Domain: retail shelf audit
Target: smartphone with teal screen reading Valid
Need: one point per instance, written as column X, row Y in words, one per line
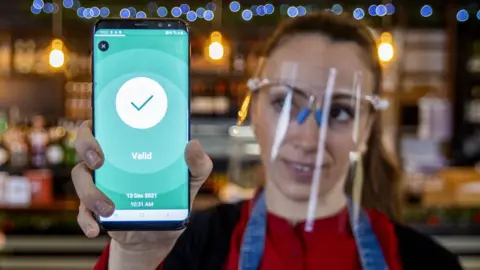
column 140, row 107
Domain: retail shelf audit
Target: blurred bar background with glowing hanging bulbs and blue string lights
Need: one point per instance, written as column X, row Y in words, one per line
column 430, row 52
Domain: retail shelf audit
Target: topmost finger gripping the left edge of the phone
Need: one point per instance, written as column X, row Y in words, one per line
column 87, row 147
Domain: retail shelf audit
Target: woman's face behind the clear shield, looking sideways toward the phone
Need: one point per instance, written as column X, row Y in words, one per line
column 303, row 60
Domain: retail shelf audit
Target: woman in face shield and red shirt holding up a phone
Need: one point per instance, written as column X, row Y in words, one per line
column 217, row 238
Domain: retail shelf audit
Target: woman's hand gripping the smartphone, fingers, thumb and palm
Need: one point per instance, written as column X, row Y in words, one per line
column 93, row 201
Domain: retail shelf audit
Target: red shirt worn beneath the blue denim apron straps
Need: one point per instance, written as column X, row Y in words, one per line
column 331, row 245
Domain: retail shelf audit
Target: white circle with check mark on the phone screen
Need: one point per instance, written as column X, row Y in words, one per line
column 141, row 103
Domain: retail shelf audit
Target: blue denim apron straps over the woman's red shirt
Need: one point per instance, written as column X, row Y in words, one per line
column 251, row 252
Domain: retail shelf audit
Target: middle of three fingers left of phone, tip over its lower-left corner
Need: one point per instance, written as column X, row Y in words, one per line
column 93, row 199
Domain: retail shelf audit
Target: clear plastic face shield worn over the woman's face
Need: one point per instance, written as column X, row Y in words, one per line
column 309, row 128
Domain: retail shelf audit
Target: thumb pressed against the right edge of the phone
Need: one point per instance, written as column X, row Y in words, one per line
column 199, row 164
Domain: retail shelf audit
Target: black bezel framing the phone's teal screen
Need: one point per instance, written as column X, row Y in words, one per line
column 176, row 24
